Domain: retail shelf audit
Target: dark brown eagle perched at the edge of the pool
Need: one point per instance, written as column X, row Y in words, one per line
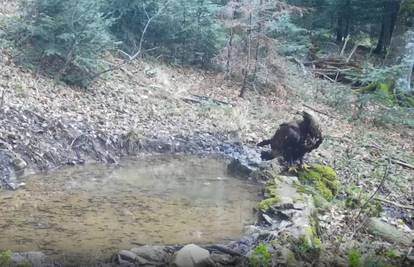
column 293, row 140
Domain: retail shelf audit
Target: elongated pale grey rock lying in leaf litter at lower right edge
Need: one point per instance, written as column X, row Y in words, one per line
column 390, row 233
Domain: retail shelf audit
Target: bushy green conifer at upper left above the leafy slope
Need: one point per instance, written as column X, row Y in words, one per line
column 65, row 38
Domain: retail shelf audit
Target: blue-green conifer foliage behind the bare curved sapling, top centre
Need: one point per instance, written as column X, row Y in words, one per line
column 183, row 32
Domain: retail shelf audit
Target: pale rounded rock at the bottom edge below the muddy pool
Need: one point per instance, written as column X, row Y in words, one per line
column 192, row 256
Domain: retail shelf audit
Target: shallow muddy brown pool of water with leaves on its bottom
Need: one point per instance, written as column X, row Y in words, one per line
column 94, row 210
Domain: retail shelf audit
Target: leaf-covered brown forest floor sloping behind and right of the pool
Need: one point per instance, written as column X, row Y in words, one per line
column 46, row 125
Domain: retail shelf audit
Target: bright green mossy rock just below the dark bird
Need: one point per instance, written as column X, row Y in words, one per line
column 323, row 178
